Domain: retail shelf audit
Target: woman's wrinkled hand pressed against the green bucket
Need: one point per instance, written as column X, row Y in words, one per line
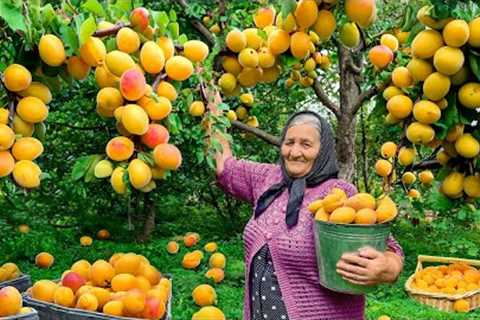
column 368, row 266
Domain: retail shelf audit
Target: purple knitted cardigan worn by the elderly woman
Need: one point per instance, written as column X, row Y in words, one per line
column 292, row 250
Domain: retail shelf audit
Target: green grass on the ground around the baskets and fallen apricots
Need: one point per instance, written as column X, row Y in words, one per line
column 63, row 244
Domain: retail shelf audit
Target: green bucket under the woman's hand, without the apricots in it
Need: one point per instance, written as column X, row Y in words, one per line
column 333, row 240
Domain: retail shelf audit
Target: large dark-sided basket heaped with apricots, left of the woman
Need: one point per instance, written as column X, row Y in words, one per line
column 126, row 286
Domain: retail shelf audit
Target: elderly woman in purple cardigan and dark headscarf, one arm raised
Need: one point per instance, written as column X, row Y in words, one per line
column 282, row 280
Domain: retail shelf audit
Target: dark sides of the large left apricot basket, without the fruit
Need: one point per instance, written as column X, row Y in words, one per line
column 50, row 311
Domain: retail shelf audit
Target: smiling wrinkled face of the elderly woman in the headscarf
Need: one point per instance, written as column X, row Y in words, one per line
column 300, row 149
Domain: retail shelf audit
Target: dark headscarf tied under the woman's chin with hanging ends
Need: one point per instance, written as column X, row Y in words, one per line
column 325, row 167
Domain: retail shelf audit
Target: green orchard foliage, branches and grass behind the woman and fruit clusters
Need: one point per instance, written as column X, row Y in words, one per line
column 342, row 85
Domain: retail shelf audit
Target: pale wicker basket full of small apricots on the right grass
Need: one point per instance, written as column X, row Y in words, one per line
column 448, row 284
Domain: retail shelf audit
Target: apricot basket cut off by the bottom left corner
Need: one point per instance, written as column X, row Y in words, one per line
column 11, row 306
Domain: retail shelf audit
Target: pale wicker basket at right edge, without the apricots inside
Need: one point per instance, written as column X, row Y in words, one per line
column 442, row 301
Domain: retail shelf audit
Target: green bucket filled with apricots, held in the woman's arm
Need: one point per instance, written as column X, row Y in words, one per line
column 346, row 224
